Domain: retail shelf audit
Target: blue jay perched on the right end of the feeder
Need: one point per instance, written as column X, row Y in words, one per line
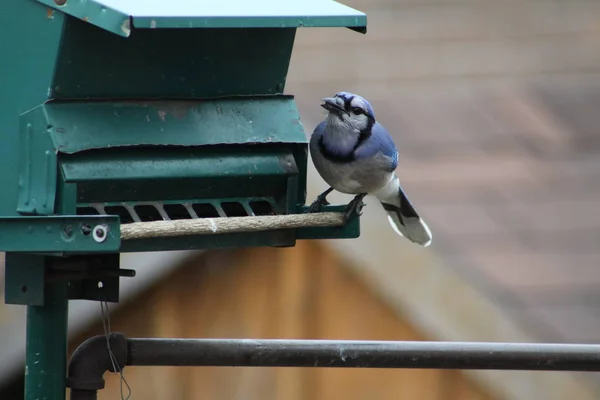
column 355, row 154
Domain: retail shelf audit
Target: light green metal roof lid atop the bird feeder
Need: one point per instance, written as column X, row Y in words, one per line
column 115, row 15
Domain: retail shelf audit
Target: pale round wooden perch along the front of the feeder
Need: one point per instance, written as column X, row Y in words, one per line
column 216, row 226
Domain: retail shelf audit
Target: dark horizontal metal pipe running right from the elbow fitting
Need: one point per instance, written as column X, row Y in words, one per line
column 364, row 354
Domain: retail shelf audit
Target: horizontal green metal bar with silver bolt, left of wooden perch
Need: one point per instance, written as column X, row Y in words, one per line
column 64, row 233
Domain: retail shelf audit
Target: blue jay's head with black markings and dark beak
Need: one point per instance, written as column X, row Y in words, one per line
column 349, row 111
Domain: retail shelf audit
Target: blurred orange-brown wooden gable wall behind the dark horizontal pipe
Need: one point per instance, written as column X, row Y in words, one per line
column 302, row 292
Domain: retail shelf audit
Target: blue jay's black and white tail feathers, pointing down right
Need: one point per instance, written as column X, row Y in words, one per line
column 402, row 215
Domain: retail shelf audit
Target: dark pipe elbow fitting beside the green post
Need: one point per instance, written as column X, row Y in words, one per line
column 91, row 360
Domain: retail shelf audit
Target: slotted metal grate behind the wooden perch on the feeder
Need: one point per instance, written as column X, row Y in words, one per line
column 160, row 211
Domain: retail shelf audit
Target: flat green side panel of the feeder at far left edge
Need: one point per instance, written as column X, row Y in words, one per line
column 26, row 74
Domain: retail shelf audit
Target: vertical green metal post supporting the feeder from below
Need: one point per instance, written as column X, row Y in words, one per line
column 46, row 347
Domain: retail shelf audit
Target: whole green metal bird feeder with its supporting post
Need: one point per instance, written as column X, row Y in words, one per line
column 151, row 125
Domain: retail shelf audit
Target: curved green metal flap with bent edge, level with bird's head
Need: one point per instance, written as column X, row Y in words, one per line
column 78, row 126
